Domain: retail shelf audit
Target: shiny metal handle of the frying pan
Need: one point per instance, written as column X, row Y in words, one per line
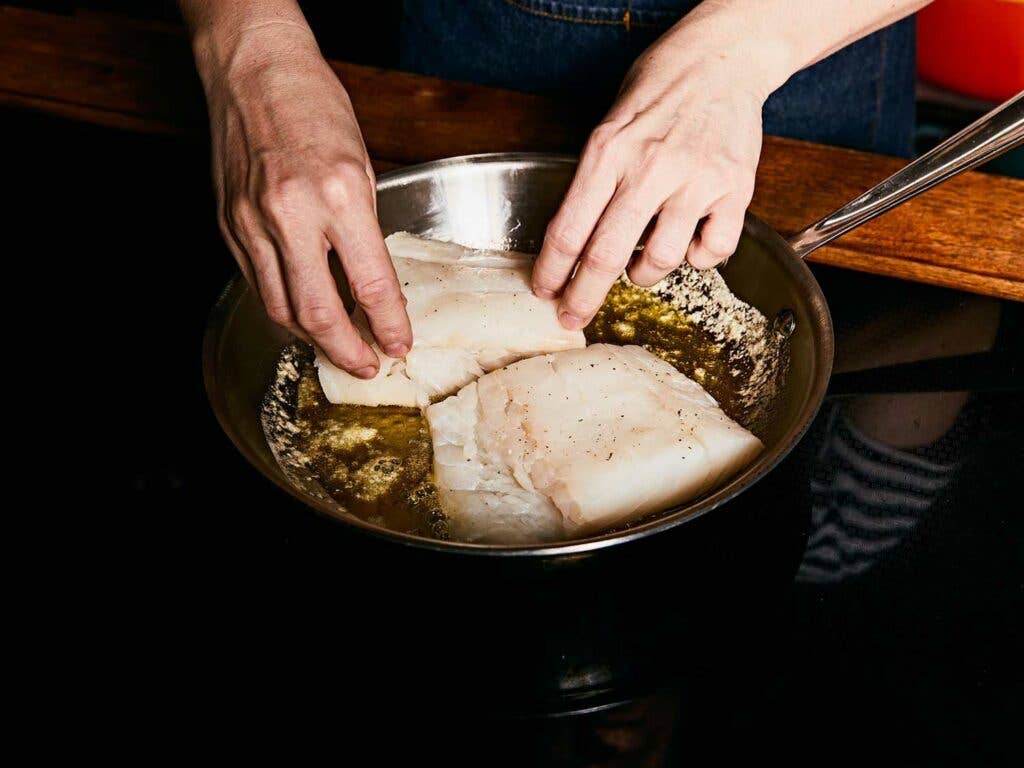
column 991, row 136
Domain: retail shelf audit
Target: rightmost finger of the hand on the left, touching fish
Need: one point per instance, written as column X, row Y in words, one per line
column 357, row 238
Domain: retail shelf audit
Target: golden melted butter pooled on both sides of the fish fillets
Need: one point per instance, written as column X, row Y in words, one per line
column 376, row 462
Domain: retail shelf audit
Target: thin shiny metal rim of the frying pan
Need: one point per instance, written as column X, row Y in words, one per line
column 669, row 520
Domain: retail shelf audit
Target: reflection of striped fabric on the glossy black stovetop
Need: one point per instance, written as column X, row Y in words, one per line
column 868, row 498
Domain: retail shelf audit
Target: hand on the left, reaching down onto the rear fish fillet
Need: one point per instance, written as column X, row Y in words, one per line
column 293, row 181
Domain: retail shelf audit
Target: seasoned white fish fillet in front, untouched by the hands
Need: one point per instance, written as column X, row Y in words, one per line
column 576, row 442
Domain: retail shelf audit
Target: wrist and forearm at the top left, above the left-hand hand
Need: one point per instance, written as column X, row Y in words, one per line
column 236, row 35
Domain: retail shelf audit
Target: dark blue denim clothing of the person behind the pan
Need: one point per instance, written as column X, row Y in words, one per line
column 862, row 97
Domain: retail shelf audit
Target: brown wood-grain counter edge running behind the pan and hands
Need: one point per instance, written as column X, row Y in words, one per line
column 968, row 234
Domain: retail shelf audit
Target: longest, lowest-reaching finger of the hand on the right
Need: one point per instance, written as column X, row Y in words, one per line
column 606, row 258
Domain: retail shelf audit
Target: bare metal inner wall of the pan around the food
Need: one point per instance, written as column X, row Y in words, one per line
column 505, row 202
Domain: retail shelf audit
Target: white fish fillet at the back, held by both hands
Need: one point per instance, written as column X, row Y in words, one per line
column 472, row 312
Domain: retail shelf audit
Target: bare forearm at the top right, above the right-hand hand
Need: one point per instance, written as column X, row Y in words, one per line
column 775, row 39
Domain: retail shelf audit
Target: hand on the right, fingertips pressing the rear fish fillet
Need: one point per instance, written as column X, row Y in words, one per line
column 681, row 144
